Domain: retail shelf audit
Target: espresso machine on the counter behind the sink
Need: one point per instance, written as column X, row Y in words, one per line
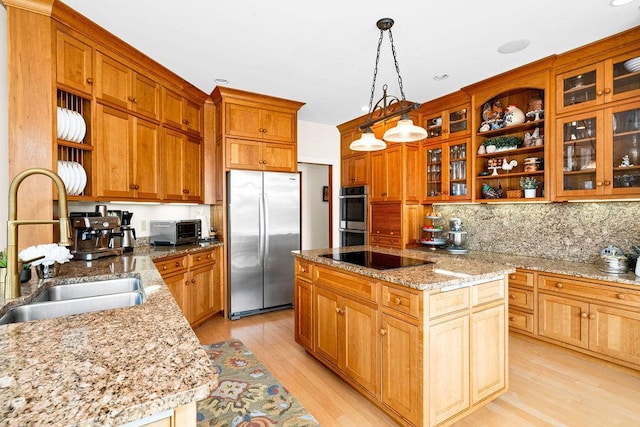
column 95, row 236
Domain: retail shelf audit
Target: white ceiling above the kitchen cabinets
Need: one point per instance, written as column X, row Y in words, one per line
column 323, row 53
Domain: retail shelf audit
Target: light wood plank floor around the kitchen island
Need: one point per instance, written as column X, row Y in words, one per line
column 549, row 385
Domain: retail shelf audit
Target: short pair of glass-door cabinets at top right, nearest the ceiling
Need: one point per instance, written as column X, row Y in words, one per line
column 598, row 83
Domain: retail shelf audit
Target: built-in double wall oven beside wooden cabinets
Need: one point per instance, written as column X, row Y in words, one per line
column 353, row 216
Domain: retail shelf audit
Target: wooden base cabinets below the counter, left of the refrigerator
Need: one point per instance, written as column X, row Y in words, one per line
column 195, row 282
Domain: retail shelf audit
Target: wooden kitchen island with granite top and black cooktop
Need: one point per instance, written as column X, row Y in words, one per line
column 426, row 343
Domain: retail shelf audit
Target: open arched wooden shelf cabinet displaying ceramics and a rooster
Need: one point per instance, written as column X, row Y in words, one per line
column 510, row 131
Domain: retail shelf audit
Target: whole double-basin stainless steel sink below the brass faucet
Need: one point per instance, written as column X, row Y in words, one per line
column 77, row 298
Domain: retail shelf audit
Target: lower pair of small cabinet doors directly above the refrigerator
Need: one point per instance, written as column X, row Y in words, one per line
column 254, row 155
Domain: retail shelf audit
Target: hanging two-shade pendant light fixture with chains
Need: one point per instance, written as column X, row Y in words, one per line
column 388, row 107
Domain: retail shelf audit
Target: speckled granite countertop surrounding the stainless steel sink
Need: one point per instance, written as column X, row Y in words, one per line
column 103, row 368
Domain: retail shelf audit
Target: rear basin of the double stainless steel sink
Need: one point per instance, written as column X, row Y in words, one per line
column 89, row 289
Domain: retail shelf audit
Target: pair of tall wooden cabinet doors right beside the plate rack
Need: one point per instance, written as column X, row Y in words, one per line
column 128, row 169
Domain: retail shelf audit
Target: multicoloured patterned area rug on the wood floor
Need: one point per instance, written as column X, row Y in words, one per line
column 247, row 394
